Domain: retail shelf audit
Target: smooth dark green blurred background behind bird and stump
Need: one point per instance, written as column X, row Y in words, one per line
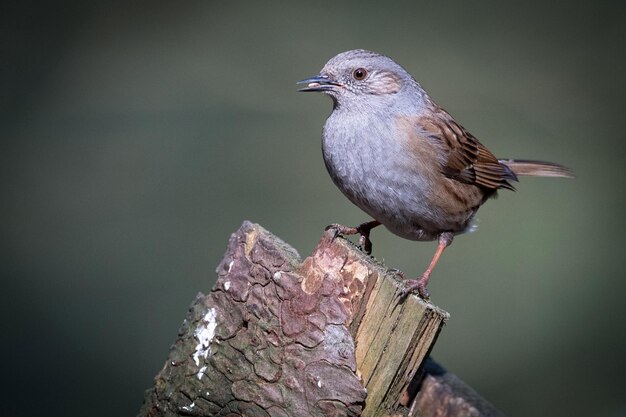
column 137, row 137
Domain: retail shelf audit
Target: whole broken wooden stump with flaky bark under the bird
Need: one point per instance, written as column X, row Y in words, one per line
column 329, row 336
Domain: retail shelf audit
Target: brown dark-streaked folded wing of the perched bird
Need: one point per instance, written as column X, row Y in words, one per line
column 467, row 160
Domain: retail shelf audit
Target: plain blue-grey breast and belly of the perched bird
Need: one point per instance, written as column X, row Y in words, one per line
column 371, row 168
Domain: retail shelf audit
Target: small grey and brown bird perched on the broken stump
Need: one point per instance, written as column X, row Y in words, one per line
column 403, row 159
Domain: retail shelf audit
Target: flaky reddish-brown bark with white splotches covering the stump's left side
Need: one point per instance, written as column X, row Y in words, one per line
column 267, row 340
